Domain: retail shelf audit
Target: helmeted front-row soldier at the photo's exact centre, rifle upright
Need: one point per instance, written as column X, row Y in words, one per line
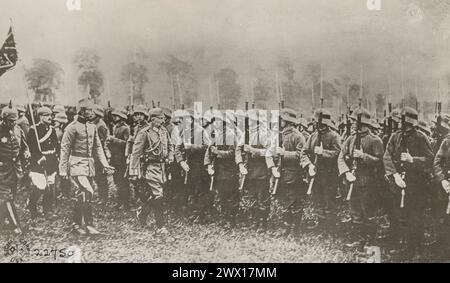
column 221, row 159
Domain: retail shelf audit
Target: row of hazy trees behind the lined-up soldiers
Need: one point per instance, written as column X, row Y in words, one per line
column 299, row 92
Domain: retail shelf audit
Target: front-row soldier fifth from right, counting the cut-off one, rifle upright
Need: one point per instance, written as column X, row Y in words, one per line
column 291, row 191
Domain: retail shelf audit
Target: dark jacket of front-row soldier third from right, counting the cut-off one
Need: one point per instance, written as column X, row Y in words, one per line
column 372, row 146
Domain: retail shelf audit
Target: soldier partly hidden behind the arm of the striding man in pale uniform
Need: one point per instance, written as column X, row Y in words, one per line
column 100, row 177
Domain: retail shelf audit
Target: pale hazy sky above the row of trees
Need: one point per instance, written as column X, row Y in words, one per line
column 213, row 34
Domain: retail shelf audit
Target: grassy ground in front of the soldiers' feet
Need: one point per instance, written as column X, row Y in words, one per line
column 123, row 240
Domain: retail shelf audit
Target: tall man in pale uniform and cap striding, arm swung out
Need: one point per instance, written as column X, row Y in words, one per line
column 80, row 148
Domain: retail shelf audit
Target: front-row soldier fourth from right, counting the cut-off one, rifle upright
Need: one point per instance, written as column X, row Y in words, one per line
column 325, row 171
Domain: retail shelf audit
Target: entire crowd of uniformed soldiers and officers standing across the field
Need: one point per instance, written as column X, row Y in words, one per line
column 155, row 157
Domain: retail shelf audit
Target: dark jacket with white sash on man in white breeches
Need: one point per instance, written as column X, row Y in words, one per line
column 49, row 148
